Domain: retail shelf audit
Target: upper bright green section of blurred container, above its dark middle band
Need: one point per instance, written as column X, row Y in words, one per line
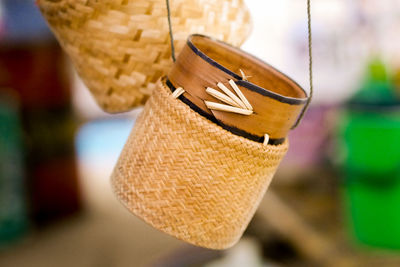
column 372, row 140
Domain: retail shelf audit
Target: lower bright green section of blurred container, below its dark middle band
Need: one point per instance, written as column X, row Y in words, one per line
column 373, row 209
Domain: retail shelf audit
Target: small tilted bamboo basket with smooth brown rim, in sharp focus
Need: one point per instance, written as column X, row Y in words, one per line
column 187, row 169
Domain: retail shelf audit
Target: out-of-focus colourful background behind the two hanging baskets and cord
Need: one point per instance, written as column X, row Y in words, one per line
column 335, row 200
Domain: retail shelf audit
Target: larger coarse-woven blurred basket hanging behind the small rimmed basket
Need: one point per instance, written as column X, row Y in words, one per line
column 120, row 48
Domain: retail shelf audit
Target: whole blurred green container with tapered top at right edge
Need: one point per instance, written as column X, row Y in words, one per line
column 370, row 146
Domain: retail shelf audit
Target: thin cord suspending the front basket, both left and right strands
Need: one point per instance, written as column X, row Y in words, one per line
column 310, row 59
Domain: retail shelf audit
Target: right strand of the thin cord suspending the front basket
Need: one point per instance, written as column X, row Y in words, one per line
column 310, row 66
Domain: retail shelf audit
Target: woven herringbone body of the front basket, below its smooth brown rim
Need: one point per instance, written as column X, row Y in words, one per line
column 190, row 178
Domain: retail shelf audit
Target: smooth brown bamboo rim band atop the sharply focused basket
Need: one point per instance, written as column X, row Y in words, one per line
column 276, row 100
